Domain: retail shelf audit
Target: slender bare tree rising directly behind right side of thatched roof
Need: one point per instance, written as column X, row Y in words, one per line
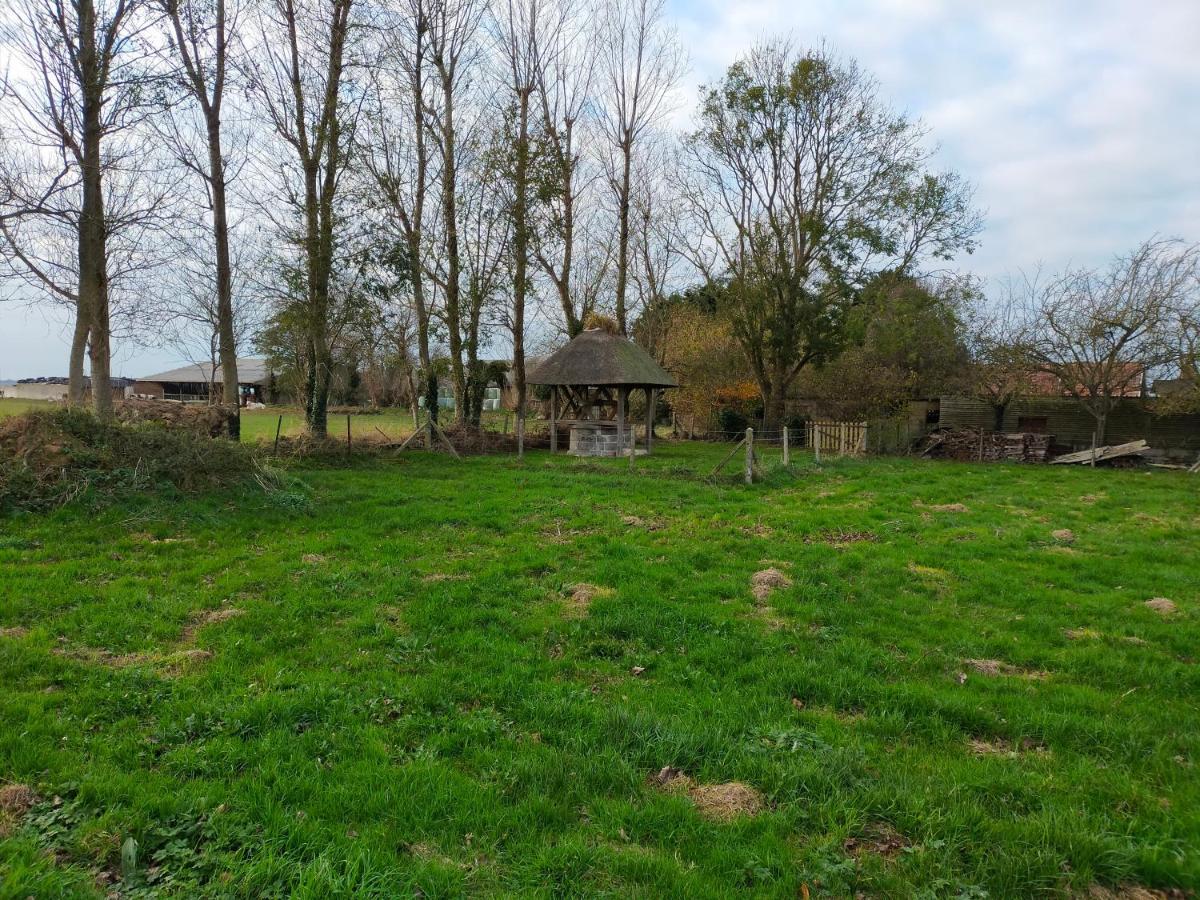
column 641, row 62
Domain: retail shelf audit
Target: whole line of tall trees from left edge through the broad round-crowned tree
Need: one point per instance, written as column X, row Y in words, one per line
column 393, row 189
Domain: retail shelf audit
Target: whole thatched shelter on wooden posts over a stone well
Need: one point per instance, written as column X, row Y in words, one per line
column 590, row 382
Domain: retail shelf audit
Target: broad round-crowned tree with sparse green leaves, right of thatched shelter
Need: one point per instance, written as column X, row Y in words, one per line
column 805, row 185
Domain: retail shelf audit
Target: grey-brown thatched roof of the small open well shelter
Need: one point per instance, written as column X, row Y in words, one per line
column 599, row 359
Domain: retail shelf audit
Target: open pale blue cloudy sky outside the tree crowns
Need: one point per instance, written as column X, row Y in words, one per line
column 1078, row 122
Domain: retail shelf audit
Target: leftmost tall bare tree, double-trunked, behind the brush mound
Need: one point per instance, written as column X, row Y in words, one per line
column 86, row 87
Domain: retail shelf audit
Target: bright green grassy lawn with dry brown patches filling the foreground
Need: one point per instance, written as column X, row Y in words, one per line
column 388, row 680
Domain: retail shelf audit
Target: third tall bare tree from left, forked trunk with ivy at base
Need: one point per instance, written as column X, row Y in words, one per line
column 299, row 79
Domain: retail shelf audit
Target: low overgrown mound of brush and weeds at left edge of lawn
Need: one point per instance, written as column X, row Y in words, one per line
column 50, row 459
